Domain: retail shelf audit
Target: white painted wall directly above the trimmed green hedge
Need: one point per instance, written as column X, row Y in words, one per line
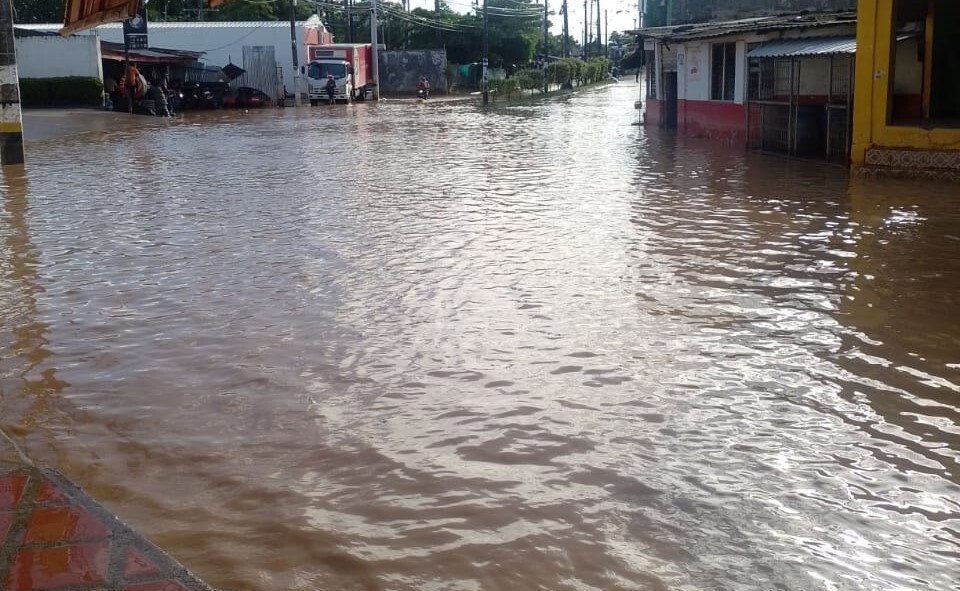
column 52, row 56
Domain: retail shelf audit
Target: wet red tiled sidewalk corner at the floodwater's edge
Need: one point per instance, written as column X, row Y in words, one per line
column 53, row 537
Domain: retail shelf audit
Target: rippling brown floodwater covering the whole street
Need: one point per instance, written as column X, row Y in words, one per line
column 430, row 347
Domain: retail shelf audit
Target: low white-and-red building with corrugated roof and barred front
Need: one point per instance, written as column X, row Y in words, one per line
column 777, row 83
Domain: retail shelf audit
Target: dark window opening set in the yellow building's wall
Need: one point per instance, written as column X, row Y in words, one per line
column 924, row 59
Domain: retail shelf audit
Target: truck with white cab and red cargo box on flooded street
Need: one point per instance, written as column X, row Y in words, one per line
column 350, row 64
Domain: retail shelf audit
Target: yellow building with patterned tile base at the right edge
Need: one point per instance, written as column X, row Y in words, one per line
column 907, row 100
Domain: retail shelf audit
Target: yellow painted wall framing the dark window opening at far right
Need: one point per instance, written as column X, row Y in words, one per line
column 871, row 96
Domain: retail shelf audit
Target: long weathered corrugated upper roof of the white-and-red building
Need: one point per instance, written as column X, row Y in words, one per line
column 764, row 24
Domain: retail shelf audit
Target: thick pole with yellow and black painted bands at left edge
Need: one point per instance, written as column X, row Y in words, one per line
column 11, row 119
